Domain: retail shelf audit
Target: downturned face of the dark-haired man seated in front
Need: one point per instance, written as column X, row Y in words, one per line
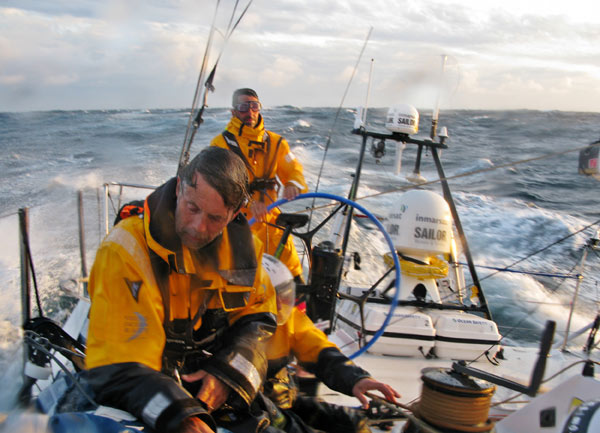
column 201, row 214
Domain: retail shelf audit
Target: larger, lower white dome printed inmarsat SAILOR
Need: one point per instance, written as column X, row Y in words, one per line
column 420, row 224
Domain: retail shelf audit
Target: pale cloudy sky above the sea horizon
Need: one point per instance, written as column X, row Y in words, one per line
column 147, row 54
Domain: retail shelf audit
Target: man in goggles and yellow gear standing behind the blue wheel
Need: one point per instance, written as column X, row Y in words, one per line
column 270, row 164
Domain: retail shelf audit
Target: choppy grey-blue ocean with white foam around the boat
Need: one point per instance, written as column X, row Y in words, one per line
column 508, row 212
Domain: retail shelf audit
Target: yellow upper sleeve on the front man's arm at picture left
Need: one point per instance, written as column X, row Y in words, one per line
column 126, row 311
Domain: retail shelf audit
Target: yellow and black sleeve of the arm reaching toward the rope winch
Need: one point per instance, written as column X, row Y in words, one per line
column 322, row 357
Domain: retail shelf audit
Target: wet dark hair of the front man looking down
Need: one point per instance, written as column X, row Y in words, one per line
column 223, row 170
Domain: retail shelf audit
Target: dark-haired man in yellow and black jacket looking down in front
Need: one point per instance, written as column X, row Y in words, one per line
column 180, row 289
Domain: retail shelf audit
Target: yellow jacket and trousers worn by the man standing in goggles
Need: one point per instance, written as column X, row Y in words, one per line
column 270, row 163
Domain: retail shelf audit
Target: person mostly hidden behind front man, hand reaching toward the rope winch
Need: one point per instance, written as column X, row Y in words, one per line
column 297, row 339
